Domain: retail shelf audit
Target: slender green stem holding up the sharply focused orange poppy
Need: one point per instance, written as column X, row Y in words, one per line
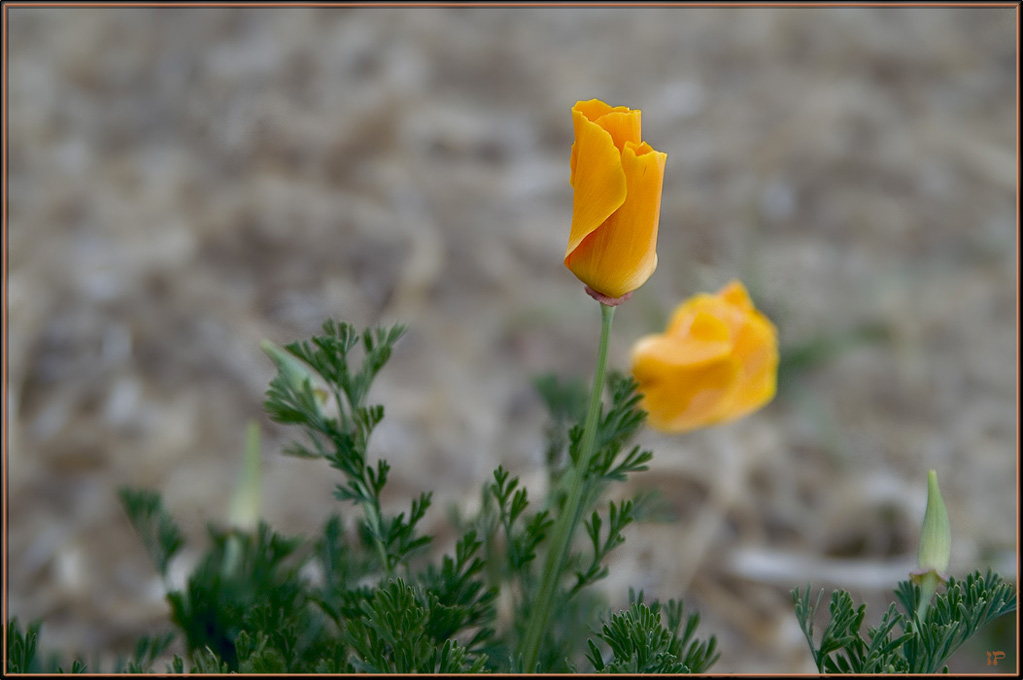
column 569, row 519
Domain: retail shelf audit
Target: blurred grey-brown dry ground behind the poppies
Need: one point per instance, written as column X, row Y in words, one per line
column 185, row 183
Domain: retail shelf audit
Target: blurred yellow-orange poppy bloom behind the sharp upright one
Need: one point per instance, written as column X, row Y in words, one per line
column 718, row 361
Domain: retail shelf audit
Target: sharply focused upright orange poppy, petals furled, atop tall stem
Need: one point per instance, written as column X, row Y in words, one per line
column 617, row 182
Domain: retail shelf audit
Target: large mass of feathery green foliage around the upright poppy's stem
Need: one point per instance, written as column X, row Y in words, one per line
column 361, row 596
